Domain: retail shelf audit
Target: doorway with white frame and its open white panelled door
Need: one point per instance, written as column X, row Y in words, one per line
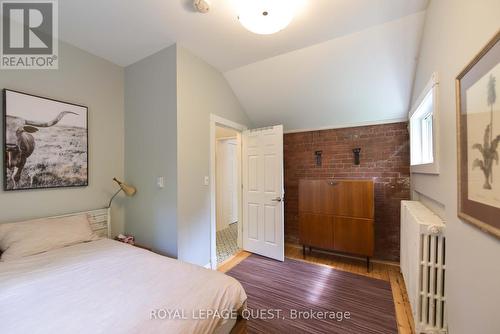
column 255, row 215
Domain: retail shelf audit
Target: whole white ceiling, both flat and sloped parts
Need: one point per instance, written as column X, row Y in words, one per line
column 340, row 62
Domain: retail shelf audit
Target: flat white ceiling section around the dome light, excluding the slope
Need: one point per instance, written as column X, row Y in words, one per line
column 125, row 31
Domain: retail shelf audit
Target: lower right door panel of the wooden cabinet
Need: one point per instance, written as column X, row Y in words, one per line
column 353, row 235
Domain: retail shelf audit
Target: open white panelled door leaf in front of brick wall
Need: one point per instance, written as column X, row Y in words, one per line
column 263, row 221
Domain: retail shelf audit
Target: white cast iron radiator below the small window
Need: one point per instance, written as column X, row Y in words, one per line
column 423, row 250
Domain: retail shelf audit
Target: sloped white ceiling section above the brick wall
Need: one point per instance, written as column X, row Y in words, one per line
column 361, row 78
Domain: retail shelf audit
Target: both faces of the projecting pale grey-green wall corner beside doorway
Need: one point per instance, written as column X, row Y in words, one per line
column 169, row 98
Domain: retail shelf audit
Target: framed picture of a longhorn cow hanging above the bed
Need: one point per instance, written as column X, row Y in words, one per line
column 45, row 142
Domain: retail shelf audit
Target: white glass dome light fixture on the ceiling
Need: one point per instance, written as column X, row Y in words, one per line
column 267, row 17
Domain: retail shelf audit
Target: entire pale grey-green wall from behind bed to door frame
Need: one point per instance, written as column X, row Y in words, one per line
column 159, row 110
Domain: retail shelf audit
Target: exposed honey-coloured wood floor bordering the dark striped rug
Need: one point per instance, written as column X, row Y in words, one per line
column 381, row 271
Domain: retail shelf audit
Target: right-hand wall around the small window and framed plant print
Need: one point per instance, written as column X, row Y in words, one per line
column 455, row 31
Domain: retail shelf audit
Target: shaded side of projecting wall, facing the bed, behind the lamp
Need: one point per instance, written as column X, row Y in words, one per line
column 151, row 150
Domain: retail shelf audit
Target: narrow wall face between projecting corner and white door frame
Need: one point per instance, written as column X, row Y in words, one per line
column 201, row 91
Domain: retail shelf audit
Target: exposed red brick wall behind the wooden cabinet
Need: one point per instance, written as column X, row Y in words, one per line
column 384, row 157
